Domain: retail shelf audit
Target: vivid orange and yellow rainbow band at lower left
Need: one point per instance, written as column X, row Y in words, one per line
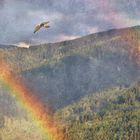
column 40, row 115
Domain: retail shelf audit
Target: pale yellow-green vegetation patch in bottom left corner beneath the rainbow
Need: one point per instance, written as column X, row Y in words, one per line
column 20, row 129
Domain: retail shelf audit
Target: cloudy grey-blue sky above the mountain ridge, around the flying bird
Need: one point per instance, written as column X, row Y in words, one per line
column 68, row 18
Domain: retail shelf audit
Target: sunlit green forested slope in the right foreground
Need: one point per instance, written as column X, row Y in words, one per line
column 113, row 114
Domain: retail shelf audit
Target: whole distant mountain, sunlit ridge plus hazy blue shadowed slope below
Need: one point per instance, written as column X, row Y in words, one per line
column 63, row 72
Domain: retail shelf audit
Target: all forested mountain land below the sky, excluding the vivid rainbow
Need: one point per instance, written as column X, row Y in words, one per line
column 65, row 72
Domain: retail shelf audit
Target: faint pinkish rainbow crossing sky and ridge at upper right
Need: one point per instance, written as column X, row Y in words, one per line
column 120, row 20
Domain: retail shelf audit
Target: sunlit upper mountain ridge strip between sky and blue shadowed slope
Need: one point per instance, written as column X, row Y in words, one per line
column 21, row 59
